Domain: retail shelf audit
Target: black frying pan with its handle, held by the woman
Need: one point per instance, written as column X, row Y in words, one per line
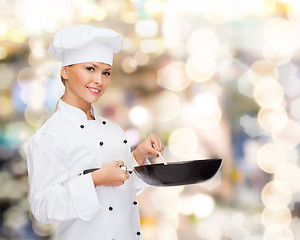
column 175, row 173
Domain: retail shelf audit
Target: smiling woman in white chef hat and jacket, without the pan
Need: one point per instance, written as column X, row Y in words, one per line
column 101, row 204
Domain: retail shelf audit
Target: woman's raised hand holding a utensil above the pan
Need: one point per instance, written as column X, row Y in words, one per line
column 148, row 148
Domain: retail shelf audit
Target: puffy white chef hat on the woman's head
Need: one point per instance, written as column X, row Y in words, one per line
column 84, row 43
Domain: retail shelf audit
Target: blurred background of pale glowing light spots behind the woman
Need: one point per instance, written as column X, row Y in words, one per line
column 212, row 78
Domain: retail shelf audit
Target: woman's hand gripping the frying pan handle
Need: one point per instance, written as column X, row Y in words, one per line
column 110, row 175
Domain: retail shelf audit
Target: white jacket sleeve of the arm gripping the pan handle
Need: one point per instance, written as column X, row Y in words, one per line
column 52, row 197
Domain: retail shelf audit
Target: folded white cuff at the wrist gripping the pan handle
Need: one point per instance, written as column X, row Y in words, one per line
column 84, row 196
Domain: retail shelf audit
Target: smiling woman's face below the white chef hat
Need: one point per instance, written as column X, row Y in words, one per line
column 86, row 82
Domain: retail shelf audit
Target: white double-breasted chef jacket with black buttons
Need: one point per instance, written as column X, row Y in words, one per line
column 58, row 153
